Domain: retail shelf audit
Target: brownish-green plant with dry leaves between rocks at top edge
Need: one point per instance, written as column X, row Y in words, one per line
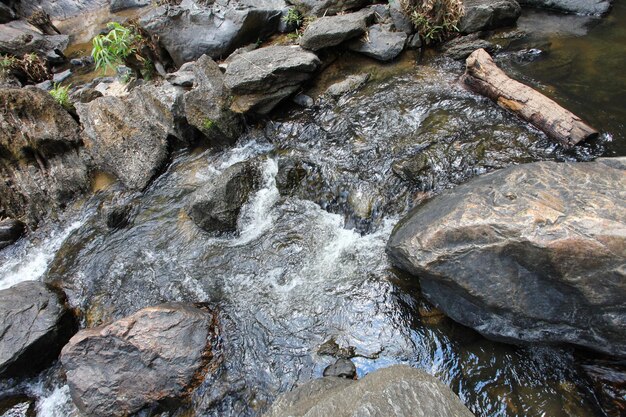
column 434, row 20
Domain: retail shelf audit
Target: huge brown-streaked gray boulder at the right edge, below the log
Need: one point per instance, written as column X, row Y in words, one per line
column 531, row 253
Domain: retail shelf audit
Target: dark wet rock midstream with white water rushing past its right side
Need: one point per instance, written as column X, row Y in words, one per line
column 216, row 206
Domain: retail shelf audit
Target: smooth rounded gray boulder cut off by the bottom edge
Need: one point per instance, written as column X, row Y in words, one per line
column 395, row 391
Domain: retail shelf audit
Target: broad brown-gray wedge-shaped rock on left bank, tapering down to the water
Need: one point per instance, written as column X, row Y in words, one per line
column 128, row 137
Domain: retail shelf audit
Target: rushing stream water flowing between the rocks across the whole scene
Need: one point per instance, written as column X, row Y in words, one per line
column 309, row 265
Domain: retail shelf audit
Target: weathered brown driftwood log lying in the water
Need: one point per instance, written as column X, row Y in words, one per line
column 484, row 77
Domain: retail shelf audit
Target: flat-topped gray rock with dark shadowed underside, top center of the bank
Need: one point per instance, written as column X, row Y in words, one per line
column 333, row 30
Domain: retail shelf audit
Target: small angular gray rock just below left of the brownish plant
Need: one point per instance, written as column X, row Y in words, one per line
column 380, row 43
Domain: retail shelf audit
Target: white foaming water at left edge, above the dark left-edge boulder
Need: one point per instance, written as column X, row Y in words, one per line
column 32, row 261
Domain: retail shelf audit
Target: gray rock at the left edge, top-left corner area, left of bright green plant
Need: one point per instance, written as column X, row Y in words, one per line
column 19, row 37
